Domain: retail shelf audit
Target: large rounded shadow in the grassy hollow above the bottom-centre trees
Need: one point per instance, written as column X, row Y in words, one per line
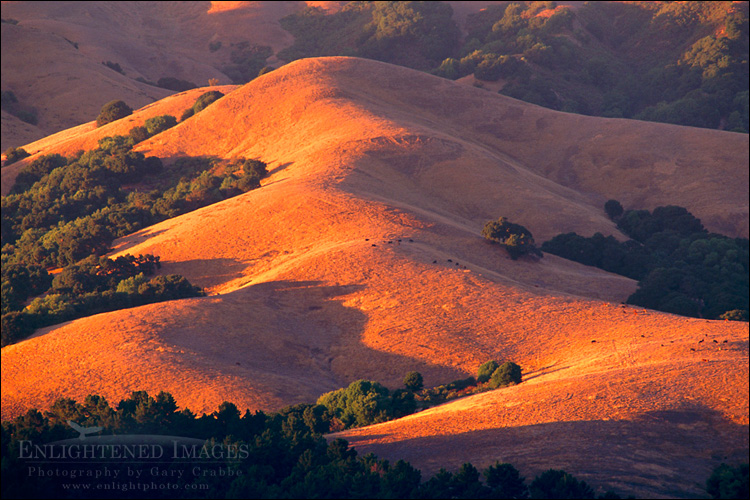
column 294, row 340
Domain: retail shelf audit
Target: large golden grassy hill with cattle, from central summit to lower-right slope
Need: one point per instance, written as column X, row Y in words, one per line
column 361, row 257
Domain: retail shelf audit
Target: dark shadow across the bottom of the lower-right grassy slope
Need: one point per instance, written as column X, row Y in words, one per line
column 660, row 454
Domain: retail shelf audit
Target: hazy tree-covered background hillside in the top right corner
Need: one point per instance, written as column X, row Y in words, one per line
column 608, row 66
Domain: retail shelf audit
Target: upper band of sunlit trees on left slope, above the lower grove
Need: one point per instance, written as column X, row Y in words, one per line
column 65, row 209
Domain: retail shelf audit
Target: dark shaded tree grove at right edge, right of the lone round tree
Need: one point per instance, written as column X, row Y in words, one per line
column 681, row 267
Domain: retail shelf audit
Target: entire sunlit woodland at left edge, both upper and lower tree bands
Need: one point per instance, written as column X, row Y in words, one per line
column 65, row 212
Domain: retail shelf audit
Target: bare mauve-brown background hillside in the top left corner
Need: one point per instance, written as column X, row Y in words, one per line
column 61, row 47
